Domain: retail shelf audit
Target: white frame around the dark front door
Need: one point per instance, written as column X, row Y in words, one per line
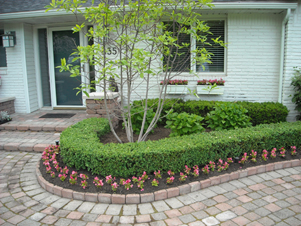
column 82, row 41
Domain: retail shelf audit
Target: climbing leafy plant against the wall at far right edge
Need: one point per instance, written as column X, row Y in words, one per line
column 296, row 82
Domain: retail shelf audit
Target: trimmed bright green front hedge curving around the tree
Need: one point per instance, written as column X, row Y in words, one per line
column 80, row 148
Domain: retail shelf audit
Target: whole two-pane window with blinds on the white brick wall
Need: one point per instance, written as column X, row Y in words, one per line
column 183, row 62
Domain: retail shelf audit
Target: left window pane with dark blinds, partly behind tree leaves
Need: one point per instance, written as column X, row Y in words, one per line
column 179, row 58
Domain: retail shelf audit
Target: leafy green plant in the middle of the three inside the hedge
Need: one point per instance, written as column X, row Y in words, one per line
column 184, row 124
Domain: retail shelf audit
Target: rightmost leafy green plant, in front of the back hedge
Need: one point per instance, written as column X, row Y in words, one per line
column 228, row 116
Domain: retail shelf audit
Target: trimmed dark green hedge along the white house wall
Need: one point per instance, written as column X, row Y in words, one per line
column 260, row 113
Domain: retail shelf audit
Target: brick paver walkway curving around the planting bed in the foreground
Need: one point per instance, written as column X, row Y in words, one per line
column 271, row 198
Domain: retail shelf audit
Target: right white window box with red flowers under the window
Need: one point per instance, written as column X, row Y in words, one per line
column 210, row 86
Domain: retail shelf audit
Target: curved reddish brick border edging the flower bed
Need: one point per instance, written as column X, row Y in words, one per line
column 161, row 194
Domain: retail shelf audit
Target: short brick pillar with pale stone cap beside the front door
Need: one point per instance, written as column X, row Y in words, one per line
column 95, row 106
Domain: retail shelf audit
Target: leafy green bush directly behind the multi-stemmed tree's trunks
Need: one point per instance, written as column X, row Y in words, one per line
column 137, row 119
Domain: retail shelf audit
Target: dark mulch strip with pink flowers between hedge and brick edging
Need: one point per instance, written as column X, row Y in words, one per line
column 91, row 188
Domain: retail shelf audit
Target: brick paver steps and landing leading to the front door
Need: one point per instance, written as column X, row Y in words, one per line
column 29, row 132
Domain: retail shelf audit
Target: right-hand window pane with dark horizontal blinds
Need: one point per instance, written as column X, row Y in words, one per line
column 217, row 28
